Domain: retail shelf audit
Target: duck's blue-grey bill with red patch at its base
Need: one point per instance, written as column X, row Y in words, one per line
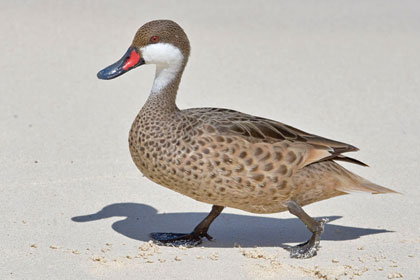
column 131, row 59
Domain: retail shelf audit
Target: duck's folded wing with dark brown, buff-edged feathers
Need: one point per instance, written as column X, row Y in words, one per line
column 256, row 129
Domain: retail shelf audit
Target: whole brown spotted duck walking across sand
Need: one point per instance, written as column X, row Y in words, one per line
column 224, row 157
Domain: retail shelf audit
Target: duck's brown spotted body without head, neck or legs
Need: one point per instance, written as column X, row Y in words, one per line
column 224, row 157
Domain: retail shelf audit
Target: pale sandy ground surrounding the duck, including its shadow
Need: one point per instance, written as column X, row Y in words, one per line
column 345, row 70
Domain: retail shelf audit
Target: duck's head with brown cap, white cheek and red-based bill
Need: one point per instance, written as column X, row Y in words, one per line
column 160, row 42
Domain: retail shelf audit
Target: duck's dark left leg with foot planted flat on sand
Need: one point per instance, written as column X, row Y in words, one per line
column 192, row 239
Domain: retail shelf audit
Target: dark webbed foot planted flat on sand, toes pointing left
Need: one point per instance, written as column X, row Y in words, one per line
column 179, row 239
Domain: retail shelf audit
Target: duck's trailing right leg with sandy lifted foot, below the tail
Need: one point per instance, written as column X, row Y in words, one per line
column 310, row 247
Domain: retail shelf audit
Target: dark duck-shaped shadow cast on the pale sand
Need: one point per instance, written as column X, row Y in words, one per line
column 139, row 220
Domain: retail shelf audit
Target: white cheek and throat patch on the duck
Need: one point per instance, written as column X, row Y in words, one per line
column 168, row 60
